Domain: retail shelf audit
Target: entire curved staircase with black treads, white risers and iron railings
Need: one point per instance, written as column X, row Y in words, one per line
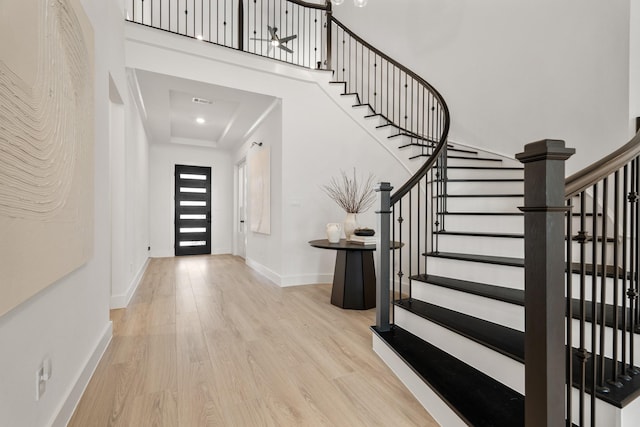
column 450, row 319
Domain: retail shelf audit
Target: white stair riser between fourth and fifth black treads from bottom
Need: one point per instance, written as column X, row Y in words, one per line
column 482, row 245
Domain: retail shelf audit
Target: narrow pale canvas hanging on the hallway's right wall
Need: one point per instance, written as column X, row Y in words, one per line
column 260, row 189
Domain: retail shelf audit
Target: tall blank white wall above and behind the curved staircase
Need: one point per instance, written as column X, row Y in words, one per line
column 514, row 72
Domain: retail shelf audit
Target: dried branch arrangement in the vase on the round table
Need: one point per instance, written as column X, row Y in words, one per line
column 349, row 194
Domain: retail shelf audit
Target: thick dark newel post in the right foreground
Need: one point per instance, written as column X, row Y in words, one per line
column 544, row 228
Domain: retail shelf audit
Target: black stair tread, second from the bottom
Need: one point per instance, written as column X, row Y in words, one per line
column 502, row 339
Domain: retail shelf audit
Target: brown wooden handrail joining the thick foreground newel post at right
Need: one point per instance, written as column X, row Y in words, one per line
column 604, row 167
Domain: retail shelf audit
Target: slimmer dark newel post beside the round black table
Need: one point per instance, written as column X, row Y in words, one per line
column 382, row 254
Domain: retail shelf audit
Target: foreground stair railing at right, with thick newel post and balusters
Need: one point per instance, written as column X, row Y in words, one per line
column 593, row 318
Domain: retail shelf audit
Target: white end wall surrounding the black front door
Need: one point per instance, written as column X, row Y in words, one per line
column 163, row 158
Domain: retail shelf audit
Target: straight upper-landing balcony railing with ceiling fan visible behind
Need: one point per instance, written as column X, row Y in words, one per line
column 244, row 25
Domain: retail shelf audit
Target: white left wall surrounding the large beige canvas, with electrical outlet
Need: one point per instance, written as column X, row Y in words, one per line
column 69, row 320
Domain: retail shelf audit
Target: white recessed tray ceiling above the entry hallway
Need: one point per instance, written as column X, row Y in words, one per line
column 170, row 114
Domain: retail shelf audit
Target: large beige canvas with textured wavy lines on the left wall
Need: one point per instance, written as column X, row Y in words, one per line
column 46, row 145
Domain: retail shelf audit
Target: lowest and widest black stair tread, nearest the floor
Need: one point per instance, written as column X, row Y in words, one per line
column 488, row 403
